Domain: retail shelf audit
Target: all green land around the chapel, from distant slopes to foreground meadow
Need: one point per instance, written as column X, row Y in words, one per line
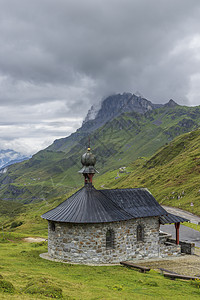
column 158, row 149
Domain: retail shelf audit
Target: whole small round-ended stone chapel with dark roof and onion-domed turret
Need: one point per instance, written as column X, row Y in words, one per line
column 110, row 225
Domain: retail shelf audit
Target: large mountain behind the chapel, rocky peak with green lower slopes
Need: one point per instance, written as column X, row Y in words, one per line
column 121, row 139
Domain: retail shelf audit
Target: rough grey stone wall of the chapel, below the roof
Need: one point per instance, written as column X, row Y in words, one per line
column 86, row 243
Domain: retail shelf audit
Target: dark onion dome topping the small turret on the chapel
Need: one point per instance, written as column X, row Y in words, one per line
column 88, row 161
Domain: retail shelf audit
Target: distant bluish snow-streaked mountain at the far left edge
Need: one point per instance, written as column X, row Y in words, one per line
column 9, row 157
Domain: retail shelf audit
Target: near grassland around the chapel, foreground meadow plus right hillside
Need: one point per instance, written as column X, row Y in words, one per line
column 172, row 175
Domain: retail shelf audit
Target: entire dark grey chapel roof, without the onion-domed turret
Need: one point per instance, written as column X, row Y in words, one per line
column 89, row 205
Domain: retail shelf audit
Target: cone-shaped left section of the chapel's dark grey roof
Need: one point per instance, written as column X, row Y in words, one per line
column 88, row 205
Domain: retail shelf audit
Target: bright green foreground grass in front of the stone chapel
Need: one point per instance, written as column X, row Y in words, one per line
column 33, row 278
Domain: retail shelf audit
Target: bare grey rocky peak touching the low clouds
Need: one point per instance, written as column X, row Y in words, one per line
column 105, row 111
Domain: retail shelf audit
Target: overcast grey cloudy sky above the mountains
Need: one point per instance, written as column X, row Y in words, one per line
column 58, row 57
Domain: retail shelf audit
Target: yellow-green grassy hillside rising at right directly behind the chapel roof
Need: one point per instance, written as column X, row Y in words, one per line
column 172, row 174
